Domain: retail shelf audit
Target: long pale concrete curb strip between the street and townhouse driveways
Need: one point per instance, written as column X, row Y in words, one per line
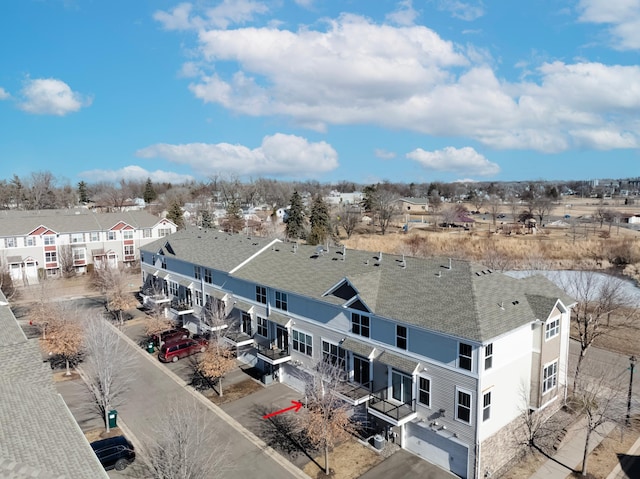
column 251, row 437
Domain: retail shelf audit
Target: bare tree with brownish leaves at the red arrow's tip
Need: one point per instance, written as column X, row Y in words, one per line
column 327, row 420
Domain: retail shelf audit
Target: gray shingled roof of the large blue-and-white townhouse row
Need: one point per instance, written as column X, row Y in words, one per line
column 466, row 301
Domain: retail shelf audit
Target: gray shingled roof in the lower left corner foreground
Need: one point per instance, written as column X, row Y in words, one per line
column 39, row 437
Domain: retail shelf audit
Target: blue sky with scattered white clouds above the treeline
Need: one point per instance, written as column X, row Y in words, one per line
column 359, row 90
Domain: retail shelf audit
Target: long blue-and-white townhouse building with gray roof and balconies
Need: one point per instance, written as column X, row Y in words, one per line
column 442, row 356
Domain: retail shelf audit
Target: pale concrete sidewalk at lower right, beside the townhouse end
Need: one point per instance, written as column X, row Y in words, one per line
column 570, row 454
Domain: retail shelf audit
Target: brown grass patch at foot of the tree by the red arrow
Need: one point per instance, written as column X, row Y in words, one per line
column 348, row 461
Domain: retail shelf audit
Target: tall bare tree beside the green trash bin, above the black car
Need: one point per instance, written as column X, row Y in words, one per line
column 108, row 367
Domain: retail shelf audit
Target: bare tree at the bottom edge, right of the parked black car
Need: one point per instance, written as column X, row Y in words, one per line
column 184, row 445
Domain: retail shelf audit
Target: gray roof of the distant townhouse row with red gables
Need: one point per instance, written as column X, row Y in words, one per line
column 21, row 223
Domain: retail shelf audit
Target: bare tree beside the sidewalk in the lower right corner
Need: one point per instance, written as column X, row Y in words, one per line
column 599, row 397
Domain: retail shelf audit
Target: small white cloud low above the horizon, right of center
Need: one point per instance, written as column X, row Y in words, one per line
column 458, row 160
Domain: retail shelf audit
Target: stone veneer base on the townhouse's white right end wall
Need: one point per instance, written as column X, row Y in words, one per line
column 509, row 443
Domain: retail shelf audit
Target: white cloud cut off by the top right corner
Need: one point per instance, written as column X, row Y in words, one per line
column 623, row 16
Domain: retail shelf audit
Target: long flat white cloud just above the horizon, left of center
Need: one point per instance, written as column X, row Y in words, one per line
column 279, row 155
